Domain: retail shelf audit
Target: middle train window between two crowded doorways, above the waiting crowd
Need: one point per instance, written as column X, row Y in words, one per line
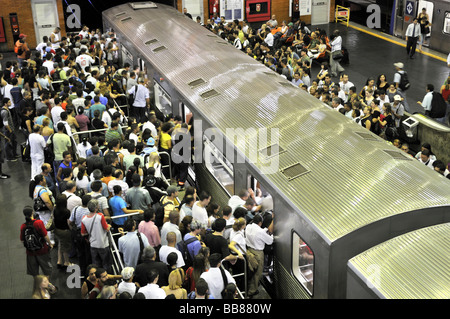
column 218, row 165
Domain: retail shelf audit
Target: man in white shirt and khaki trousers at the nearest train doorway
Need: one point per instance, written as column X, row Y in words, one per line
column 257, row 238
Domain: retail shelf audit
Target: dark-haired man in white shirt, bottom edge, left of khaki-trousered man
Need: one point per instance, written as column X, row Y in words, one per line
column 214, row 276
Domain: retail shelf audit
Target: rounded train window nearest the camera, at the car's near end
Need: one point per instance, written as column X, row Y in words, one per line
column 302, row 262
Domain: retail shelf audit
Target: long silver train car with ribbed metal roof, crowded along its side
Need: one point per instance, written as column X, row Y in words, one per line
column 337, row 189
